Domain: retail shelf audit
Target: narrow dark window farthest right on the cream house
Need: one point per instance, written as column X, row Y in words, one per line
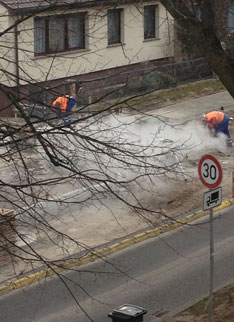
column 150, row 22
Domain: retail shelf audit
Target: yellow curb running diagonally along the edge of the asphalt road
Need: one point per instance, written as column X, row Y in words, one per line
column 98, row 254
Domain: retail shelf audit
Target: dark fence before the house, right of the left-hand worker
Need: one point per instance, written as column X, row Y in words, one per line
column 145, row 80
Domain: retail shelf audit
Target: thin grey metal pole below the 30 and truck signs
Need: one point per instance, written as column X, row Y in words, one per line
column 211, row 266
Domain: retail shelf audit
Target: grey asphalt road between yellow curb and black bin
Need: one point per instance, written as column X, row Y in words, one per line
column 162, row 275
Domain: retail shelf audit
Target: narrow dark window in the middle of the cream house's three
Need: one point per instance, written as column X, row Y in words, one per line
column 114, row 26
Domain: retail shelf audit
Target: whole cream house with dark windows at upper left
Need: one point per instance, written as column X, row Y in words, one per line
column 78, row 40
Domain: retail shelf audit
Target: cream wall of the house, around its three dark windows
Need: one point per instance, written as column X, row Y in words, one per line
column 98, row 56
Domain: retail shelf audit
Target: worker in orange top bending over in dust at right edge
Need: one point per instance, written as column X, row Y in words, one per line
column 219, row 121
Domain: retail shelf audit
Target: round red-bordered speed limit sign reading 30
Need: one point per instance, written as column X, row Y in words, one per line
column 210, row 171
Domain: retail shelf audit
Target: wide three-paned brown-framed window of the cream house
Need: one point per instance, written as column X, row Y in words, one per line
column 59, row 33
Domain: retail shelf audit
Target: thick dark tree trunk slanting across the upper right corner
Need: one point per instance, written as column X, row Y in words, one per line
column 204, row 35
